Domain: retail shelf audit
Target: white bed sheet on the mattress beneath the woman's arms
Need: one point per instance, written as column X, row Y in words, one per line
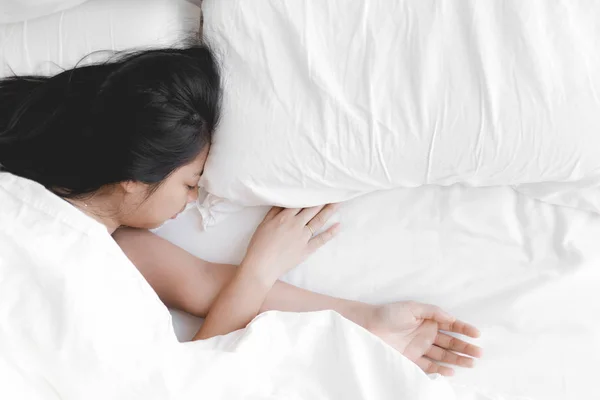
column 523, row 271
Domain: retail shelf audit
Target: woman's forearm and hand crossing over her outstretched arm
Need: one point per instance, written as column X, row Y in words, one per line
column 282, row 240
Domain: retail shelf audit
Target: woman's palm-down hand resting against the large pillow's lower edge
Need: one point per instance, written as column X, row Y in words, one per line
column 285, row 238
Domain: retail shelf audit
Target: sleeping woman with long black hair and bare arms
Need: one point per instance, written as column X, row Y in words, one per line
column 122, row 144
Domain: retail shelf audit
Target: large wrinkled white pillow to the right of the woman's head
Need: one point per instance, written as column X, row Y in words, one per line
column 327, row 100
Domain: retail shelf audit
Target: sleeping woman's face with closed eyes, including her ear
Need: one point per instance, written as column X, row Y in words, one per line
column 171, row 198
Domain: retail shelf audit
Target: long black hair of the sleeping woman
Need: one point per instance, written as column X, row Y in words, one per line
column 137, row 117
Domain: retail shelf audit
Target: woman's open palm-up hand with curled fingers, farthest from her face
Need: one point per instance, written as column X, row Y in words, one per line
column 415, row 330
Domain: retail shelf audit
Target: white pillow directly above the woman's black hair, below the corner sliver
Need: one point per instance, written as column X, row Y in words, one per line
column 61, row 40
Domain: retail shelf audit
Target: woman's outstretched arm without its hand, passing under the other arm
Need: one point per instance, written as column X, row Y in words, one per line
column 190, row 284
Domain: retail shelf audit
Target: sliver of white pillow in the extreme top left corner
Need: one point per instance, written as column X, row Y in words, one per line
column 22, row 10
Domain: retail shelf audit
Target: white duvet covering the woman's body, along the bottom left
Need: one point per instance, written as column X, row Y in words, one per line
column 77, row 320
